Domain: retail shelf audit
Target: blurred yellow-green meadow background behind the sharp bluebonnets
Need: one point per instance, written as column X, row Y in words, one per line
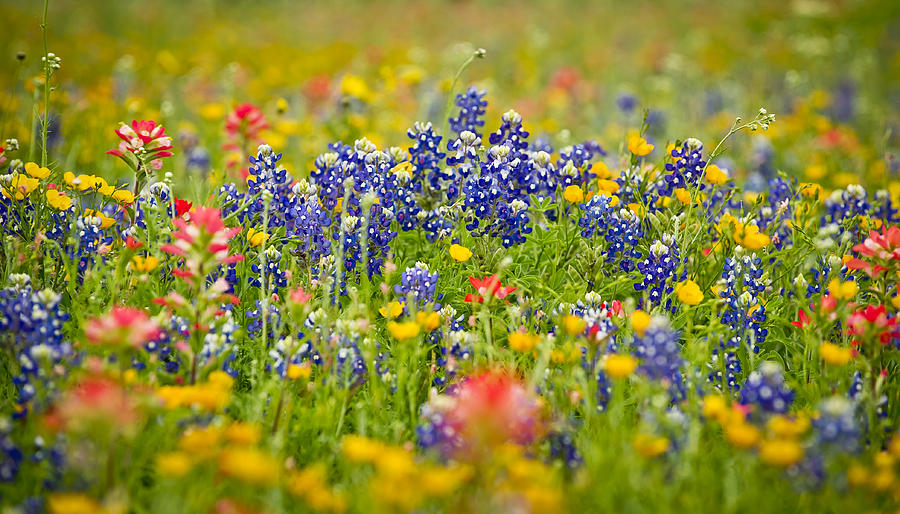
column 325, row 71
